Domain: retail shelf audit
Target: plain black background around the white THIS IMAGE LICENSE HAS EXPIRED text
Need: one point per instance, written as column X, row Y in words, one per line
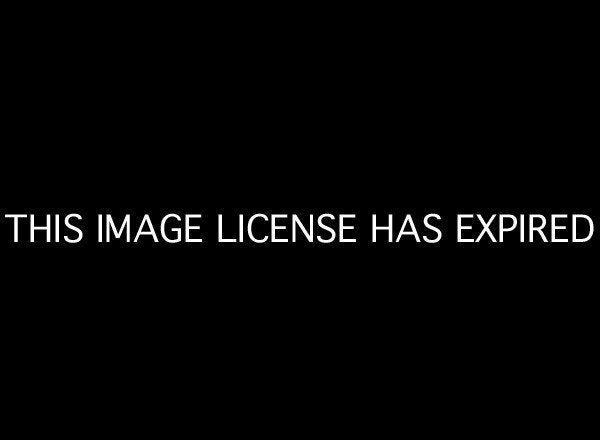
column 368, row 113
